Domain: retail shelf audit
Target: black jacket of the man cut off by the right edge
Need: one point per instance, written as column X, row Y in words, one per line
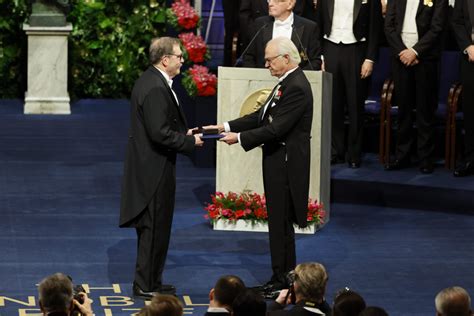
column 462, row 22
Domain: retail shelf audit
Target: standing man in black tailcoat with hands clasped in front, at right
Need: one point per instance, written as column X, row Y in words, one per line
column 414, row 30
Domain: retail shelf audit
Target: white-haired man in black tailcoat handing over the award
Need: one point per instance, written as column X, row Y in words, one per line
column 283, row 127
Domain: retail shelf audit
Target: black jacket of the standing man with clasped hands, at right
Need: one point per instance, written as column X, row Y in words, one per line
column 430, row 23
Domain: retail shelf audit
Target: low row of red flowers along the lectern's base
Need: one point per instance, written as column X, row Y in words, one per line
column 252, row 206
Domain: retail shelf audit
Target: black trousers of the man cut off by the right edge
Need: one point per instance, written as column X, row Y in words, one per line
column 467, row 97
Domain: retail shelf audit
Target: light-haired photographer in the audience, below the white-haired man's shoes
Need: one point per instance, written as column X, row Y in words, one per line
column 306, row 293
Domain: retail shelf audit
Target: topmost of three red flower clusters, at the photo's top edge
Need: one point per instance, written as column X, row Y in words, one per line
column 181, row 15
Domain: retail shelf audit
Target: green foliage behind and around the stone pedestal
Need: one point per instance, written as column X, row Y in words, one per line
column 107, row 47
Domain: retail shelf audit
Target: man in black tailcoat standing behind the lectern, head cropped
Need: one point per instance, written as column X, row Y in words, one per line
column 282, row 22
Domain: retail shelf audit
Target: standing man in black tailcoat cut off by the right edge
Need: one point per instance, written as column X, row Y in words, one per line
column 463, row 28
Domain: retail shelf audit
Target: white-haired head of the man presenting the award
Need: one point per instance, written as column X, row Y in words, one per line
column 281, row 55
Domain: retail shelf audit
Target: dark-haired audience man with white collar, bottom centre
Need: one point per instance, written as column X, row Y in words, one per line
column 222, row 296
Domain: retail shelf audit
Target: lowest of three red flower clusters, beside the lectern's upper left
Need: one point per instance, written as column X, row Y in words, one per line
column 198, row 81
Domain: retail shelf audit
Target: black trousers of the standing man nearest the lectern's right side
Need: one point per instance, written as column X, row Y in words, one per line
column 349, row 92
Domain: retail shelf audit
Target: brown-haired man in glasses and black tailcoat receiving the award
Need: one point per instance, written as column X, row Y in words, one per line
column 157, row 133
